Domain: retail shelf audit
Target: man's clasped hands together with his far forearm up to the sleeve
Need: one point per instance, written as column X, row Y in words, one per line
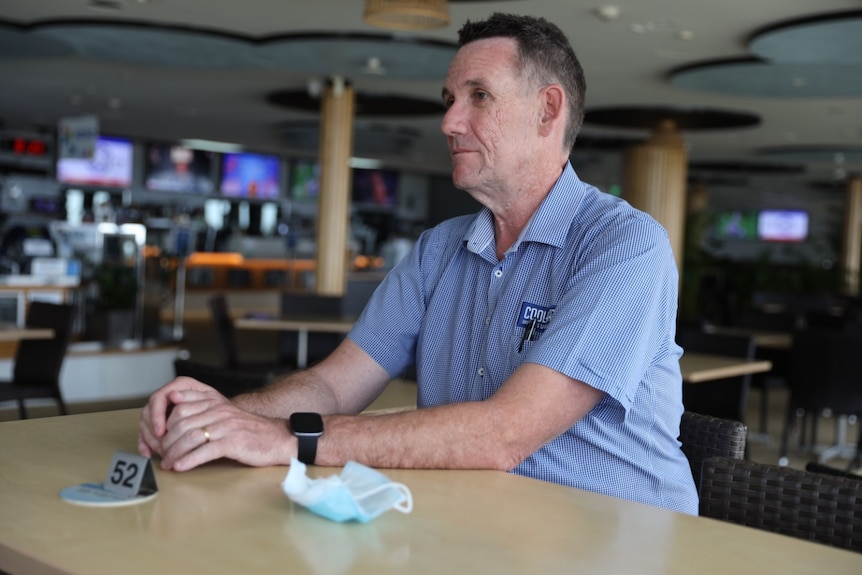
column 189, row 423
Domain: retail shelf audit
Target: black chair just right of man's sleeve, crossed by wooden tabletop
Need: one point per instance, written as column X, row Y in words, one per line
column 727, row 397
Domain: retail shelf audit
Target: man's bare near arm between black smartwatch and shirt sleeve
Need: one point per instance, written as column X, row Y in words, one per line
column 535, row 405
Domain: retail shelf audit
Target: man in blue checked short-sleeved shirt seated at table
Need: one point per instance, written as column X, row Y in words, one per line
column 542, row 328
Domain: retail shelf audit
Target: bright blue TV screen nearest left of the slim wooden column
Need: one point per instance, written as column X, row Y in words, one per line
column 246, row 175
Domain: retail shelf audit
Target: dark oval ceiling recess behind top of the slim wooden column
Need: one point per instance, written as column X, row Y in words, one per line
column 387, row 105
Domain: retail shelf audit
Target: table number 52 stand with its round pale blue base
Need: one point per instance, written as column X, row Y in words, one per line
column 130, row 480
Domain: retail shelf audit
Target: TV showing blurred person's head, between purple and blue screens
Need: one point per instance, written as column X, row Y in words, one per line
column 176, row 168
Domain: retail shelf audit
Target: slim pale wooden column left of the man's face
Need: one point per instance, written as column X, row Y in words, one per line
column 333, row 207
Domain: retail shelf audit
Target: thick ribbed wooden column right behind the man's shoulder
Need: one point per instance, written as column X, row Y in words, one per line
column 654, row 182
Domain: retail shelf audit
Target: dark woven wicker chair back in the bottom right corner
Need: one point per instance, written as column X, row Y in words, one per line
column 815, row 506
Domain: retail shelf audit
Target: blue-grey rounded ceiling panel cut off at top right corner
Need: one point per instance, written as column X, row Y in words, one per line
column 831, row 40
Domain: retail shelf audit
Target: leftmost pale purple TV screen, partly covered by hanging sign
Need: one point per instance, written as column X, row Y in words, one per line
column 111, row 165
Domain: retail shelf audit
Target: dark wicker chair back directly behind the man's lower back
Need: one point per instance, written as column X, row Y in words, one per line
column 704, row 436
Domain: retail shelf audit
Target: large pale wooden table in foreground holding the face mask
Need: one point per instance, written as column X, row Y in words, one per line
column 227, row 518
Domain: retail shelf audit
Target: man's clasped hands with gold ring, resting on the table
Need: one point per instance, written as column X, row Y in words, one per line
column 189, row 423
